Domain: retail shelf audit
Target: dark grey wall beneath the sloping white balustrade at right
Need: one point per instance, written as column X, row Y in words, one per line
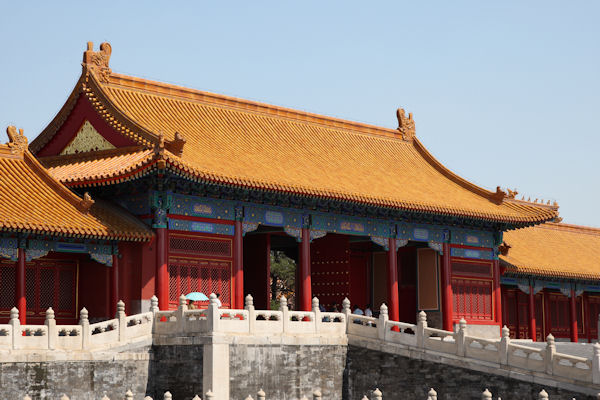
column 403, row 378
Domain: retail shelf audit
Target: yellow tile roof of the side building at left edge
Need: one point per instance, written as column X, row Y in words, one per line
column 32, row 201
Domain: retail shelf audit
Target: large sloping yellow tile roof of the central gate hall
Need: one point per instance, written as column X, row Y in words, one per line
column 244, row 143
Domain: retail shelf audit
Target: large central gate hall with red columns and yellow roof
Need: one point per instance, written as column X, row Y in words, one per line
column 367, row 212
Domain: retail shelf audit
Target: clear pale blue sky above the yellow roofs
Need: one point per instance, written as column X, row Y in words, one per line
column 503, row 93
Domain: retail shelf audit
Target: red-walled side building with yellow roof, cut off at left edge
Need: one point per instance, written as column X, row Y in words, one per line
column 57, row 249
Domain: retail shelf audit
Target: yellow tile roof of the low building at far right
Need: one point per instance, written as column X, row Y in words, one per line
column 552, row 249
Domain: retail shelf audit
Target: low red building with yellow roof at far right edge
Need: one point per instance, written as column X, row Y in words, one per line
column 551, row 281
